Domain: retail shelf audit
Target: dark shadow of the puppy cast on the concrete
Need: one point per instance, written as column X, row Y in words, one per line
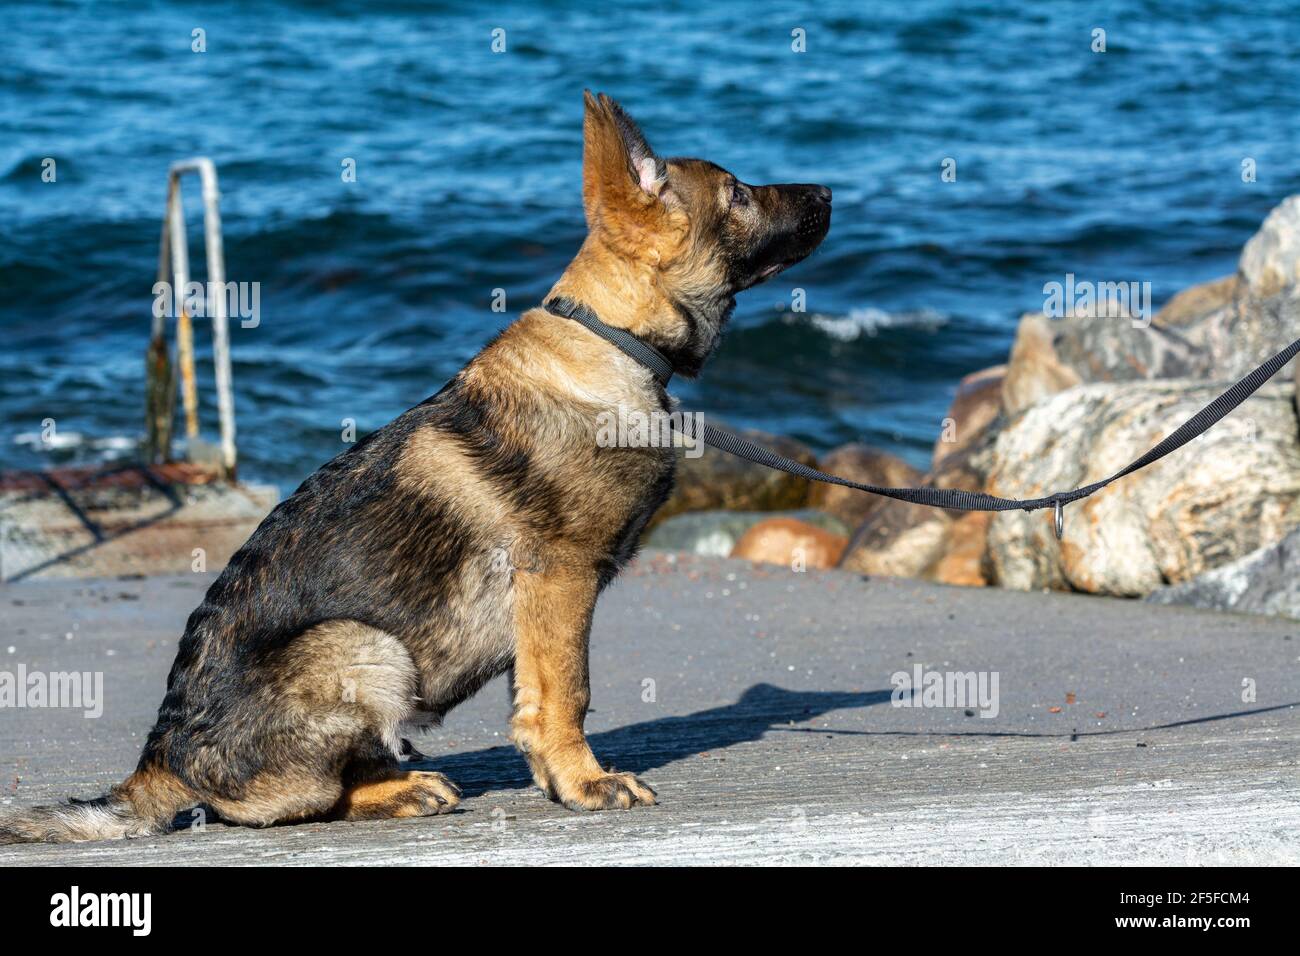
column 652, row 745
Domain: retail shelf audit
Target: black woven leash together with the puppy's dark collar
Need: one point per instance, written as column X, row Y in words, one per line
column 734, row 444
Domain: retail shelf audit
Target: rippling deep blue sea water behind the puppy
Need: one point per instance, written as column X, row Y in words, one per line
column 1117, row 166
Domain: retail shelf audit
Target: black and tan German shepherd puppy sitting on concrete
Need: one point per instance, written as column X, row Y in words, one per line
column 466, row 539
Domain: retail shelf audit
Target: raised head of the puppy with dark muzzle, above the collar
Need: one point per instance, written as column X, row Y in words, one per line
column 694, row 232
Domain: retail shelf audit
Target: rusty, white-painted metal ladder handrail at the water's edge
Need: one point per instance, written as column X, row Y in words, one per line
column 161, row 374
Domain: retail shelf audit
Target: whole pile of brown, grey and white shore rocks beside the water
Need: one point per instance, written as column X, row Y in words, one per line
column 1078, row 399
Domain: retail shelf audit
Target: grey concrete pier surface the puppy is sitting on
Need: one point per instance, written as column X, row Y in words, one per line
column 761, row 706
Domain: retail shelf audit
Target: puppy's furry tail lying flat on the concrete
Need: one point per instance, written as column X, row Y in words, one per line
column 142, row 806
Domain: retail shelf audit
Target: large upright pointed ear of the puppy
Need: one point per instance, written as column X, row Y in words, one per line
column 625, row 184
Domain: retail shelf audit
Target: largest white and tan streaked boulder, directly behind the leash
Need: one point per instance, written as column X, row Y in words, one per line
column 1214, row 501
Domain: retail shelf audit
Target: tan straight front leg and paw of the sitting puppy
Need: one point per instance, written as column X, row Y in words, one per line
column 552, row 693
